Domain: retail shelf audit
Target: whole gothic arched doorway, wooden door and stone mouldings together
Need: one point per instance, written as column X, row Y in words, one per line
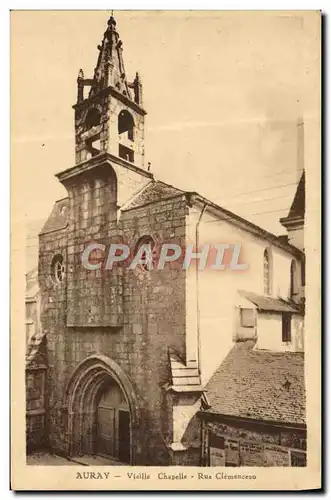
column 102, row 411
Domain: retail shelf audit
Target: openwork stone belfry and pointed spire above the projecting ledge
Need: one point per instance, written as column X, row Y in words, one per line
column 109, row 117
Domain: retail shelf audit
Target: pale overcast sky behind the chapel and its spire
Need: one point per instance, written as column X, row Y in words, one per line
column 223, row 92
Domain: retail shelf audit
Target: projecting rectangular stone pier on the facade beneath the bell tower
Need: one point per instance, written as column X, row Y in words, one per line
column 93, row 297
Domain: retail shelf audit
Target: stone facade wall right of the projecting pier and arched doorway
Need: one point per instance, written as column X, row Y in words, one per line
column 154, row 311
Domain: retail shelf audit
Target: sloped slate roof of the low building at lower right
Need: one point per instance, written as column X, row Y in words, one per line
column 259, row 385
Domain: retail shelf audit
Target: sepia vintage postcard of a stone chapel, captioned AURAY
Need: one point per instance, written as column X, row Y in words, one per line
column 166, row 330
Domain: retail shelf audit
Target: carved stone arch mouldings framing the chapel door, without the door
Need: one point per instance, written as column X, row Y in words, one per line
column 81, row 399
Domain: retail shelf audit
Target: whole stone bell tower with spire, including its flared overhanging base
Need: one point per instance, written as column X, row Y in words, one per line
column 109, row 128
